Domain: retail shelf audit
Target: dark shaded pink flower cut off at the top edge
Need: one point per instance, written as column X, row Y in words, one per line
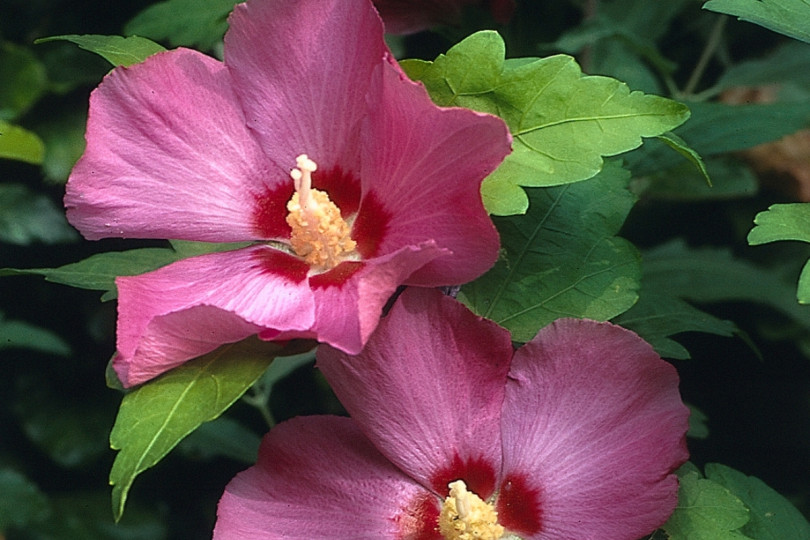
column 409, row 16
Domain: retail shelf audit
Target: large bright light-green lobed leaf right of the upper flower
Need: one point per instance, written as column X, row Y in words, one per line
column 563, row 122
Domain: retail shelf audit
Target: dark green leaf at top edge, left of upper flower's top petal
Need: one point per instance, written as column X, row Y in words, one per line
column 183, row 22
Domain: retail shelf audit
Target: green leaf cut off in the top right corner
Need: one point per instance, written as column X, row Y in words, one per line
column 788, row 17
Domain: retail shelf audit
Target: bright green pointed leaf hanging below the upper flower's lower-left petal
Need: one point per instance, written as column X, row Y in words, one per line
column 154, row 417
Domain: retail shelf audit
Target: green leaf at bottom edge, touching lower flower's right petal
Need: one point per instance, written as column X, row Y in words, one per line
column 706, row 511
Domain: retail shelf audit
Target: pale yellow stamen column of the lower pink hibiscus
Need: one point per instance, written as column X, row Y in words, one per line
column 465, row 516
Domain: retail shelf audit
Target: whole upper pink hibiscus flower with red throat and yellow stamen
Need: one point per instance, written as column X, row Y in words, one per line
column 186, row 147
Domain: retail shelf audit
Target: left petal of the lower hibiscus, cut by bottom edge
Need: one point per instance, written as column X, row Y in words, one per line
column 318, row 477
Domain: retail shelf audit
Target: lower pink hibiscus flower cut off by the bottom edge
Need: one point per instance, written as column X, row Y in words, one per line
column 574, row 435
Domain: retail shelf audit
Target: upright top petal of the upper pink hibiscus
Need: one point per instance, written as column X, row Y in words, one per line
column 302, row 72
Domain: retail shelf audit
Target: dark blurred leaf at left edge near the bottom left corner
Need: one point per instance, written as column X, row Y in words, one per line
column 21, row 501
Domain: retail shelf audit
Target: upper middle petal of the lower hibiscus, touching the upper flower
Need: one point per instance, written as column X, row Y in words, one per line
column 428, row 388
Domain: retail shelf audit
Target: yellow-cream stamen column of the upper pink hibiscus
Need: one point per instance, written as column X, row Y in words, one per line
column 320, row 235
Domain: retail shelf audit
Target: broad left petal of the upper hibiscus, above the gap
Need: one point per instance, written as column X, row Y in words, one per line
column 168, row 155
